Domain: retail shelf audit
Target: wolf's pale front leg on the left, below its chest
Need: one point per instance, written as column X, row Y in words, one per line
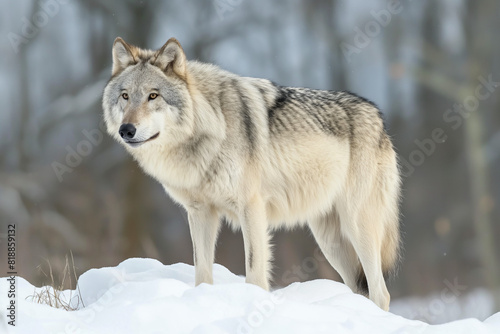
column 204, row 226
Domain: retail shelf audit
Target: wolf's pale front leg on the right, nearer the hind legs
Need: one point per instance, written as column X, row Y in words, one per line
column 256, row 240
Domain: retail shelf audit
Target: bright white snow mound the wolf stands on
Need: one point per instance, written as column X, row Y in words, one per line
column 145, row 296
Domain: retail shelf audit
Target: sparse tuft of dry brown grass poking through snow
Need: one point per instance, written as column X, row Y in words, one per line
column 52, row 294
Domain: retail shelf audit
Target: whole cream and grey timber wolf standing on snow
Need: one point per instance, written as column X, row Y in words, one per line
column 263, row 156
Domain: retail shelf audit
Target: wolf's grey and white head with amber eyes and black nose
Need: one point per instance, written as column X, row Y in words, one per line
column 147, row 101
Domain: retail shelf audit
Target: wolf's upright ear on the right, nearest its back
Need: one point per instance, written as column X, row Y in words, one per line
column 171, row 57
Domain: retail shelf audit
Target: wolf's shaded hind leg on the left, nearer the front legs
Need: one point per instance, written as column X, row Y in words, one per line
column 337, row 250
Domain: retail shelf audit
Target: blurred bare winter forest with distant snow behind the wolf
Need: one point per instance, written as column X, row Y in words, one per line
column 430, row 65
